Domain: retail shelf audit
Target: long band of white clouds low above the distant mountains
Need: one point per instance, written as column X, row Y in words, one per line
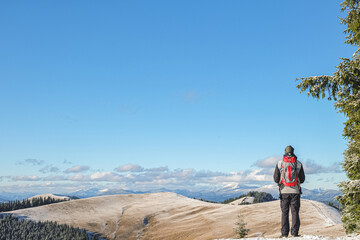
column 136, row 177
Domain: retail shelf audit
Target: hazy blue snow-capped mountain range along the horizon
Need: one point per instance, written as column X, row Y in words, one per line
column 321, row 195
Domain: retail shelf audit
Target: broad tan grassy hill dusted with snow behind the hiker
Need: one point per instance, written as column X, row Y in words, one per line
column 172, row 216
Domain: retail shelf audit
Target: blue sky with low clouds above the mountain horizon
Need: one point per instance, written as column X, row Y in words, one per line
column 98, row 93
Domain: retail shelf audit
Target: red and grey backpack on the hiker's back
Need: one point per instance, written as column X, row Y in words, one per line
column 289, row 175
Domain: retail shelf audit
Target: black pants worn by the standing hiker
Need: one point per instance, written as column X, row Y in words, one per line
column 288, row 201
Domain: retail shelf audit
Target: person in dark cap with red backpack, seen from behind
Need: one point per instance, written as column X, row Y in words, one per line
column 289, row 174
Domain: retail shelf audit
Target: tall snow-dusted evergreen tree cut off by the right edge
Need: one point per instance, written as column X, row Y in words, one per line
column 344, row 88
